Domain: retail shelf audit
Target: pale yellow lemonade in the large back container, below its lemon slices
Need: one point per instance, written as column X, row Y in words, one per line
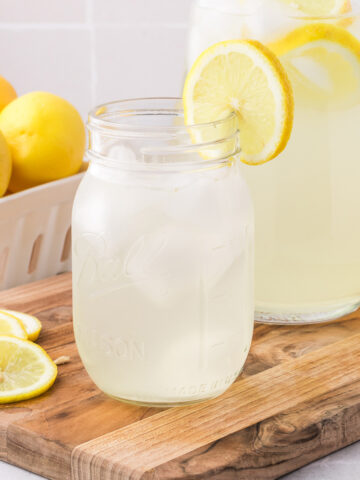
column 308, row 203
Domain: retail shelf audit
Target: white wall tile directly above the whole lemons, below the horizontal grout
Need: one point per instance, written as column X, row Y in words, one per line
column 55, row 60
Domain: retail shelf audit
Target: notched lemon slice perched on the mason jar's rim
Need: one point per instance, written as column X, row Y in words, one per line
column 245, row 77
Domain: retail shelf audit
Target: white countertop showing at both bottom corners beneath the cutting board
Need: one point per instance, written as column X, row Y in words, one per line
column 344, row 465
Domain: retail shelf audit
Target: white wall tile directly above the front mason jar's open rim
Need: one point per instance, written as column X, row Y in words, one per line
column 139, row 62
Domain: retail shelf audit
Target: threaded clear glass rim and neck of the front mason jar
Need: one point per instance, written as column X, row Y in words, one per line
column 154, row 128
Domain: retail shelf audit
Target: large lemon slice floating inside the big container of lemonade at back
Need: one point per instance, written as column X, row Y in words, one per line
column 323, row 63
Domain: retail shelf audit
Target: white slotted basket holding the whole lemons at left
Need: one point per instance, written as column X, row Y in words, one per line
column 35, row 234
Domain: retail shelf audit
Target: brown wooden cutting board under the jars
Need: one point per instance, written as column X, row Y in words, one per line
column 297, row 400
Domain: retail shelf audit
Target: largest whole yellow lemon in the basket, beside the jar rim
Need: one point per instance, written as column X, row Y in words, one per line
column 46, row 136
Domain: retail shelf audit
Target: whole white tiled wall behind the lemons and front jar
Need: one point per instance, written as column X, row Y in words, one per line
column 90, row 51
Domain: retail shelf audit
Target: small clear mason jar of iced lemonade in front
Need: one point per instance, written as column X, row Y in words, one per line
column 162, row 255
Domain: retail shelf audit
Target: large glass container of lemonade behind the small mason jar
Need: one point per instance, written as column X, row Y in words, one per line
column 307, row 201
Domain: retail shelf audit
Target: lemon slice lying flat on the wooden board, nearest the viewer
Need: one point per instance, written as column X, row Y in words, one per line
column 26, row 371
